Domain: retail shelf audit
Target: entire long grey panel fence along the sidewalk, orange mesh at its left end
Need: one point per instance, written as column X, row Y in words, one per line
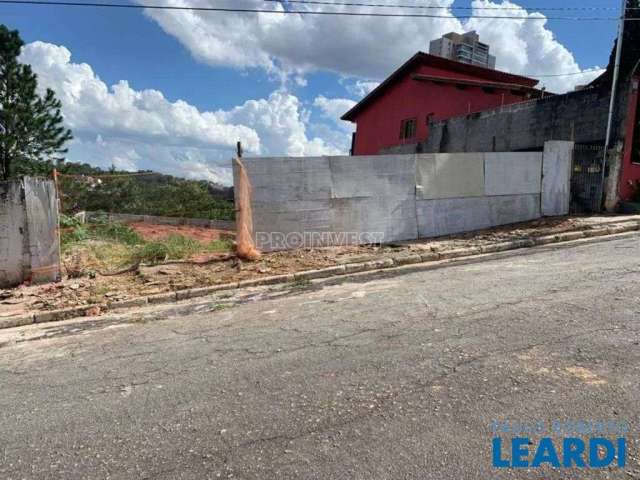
column 384, row 198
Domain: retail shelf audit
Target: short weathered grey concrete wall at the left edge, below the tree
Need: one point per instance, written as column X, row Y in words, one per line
column 29, row 242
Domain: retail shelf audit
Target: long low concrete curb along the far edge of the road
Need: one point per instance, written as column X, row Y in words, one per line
column 405, row 259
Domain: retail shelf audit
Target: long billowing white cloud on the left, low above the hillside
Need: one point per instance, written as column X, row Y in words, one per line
column 90, row 105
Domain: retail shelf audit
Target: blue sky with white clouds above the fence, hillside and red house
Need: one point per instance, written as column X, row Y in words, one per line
column 318, row 78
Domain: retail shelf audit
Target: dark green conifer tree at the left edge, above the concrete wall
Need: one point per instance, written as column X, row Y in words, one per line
column 32, row 134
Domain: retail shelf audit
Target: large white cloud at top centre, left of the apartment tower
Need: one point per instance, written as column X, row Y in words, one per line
column 358, row 46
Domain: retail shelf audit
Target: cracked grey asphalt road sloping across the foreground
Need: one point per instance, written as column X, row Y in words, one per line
column 398, row 377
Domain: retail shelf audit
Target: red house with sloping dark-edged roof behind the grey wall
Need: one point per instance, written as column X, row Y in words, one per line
column 427, row 88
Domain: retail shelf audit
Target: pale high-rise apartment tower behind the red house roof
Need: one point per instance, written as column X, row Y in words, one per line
column 466, row 48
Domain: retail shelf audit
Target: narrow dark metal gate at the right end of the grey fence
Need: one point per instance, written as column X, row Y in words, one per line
column 586, row 179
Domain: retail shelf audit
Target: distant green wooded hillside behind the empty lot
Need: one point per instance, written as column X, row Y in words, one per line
column 89, row 188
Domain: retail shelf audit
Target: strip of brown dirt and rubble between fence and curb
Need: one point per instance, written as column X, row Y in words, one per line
column 97, row 289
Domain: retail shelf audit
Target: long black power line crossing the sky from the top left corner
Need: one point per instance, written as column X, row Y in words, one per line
column 296, row 12
